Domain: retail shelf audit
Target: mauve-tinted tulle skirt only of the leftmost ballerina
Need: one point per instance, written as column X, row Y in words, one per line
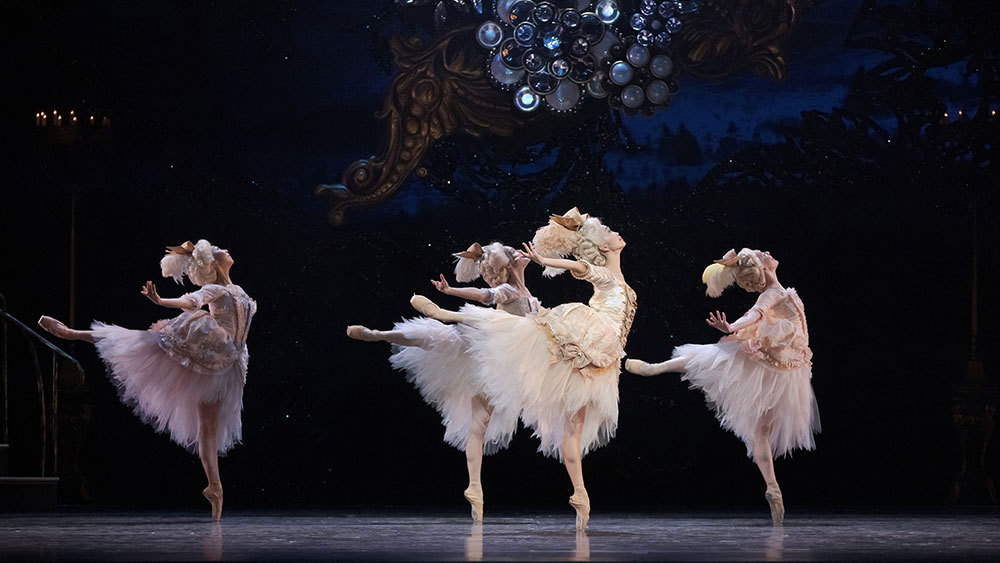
column 166, row 394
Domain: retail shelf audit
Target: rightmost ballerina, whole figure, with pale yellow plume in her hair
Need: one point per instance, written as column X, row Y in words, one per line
column 757, row 378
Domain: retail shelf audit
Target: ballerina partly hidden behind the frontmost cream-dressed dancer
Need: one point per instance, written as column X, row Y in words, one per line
column 437, row 361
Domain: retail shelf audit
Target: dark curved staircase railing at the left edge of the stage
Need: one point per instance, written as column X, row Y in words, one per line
column 48, row 414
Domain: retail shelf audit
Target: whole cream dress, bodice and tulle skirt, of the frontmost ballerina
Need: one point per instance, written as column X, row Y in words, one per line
column 550, row 365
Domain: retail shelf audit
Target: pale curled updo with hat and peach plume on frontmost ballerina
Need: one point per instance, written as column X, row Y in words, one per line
column 572, row 233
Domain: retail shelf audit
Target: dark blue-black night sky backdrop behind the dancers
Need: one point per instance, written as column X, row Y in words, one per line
column 226, row 115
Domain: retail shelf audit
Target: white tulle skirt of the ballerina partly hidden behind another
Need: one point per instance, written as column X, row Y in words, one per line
column 444, row 372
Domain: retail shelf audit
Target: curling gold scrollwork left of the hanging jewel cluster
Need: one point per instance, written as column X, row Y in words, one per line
column 441, row 90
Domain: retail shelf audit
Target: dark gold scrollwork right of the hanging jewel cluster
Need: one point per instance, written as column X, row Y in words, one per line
column 728, row 36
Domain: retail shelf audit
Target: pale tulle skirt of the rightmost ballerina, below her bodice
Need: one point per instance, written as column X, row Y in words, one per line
column 742, row 390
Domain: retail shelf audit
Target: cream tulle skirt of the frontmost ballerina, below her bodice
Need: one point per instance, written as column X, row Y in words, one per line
column 519, row 372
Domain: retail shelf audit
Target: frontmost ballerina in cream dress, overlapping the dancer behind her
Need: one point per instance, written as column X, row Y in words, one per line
column 559, row 368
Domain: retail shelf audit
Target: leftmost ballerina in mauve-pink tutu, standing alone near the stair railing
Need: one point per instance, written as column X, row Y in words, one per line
column 185, row 375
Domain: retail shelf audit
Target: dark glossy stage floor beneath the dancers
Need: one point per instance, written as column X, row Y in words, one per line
column 135, row 535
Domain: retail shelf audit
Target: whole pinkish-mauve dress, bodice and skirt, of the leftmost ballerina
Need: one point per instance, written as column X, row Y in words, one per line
column 165, row 372
